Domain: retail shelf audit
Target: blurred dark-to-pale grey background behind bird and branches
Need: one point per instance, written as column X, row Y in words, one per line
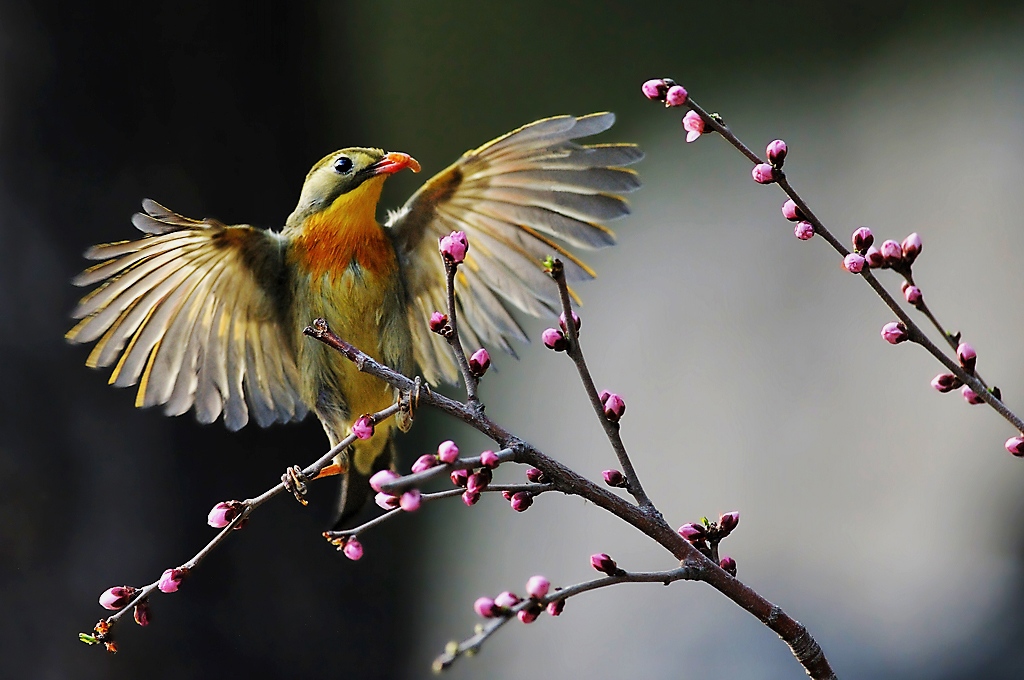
column 884, row 517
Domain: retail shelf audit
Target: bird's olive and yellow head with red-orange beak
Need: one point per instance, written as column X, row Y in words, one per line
column 352, row 177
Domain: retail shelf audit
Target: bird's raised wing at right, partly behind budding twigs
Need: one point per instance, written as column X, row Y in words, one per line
column 510, row 197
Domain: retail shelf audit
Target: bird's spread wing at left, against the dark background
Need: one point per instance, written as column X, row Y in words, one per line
column 193, row 313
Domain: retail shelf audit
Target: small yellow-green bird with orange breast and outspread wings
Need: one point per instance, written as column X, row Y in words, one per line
column 207, row 317
